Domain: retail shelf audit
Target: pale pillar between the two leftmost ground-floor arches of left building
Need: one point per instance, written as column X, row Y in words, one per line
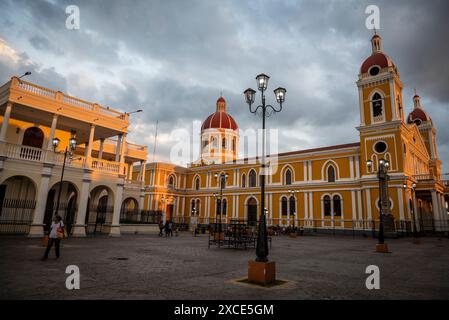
column 37, row 226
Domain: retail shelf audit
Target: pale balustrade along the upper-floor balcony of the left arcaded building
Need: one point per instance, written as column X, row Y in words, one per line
column 20, row 152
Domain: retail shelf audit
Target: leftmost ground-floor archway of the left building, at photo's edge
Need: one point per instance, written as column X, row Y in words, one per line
column 17, row 204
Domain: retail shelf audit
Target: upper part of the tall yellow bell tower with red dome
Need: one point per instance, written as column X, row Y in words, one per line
column 381, row 109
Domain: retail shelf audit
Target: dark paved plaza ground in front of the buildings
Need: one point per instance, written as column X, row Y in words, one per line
column 151, row 267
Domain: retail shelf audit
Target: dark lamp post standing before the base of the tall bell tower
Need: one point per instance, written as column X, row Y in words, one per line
column 384, row 205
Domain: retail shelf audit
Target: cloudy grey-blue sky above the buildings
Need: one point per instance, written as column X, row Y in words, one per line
column 175, row 57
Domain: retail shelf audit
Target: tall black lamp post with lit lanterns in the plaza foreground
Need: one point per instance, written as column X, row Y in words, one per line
column 262, row 238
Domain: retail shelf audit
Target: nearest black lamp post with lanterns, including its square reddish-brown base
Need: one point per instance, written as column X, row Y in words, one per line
column 261, row 271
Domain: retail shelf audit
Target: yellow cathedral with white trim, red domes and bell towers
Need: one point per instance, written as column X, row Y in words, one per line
column 333, row 187
